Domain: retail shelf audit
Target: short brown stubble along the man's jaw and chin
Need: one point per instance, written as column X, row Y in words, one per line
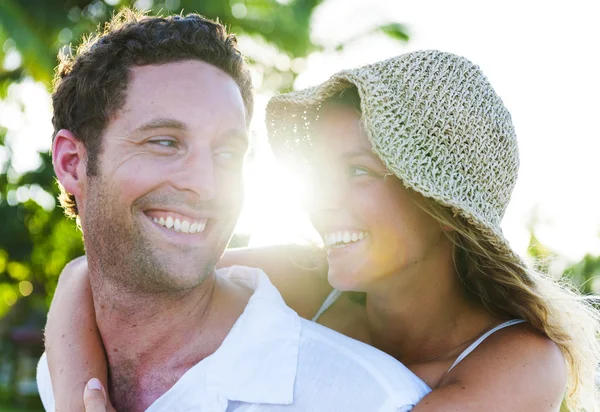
column 127, row 261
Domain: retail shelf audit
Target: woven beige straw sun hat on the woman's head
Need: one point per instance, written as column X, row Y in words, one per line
column 435, row 122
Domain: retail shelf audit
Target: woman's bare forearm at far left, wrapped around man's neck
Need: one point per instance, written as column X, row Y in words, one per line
column 73, row 344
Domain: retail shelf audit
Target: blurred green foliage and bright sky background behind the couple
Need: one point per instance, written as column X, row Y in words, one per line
column 541, row 56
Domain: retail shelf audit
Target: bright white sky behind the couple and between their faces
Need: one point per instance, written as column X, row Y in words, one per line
column 541, row 57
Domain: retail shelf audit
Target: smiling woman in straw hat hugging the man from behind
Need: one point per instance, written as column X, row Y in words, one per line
column 414, row 160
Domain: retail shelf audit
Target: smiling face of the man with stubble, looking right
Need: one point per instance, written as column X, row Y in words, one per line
column 164, row 204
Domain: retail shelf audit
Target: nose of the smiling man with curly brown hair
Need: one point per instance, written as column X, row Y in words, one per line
column 196, row 173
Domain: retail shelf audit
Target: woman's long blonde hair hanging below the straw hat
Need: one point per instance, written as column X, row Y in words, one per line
column 507, row 287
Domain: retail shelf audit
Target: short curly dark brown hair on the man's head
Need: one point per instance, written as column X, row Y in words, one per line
column 91, row 85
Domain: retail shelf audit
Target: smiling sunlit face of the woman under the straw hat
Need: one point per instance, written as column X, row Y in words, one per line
column 369, row 222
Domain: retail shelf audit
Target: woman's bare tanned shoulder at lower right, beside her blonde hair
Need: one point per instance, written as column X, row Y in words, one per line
column 517, row 361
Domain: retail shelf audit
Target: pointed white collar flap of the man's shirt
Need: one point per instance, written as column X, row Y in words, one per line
column 257, row 361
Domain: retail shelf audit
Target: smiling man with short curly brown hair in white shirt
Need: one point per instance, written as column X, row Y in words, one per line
column 150, row 123
